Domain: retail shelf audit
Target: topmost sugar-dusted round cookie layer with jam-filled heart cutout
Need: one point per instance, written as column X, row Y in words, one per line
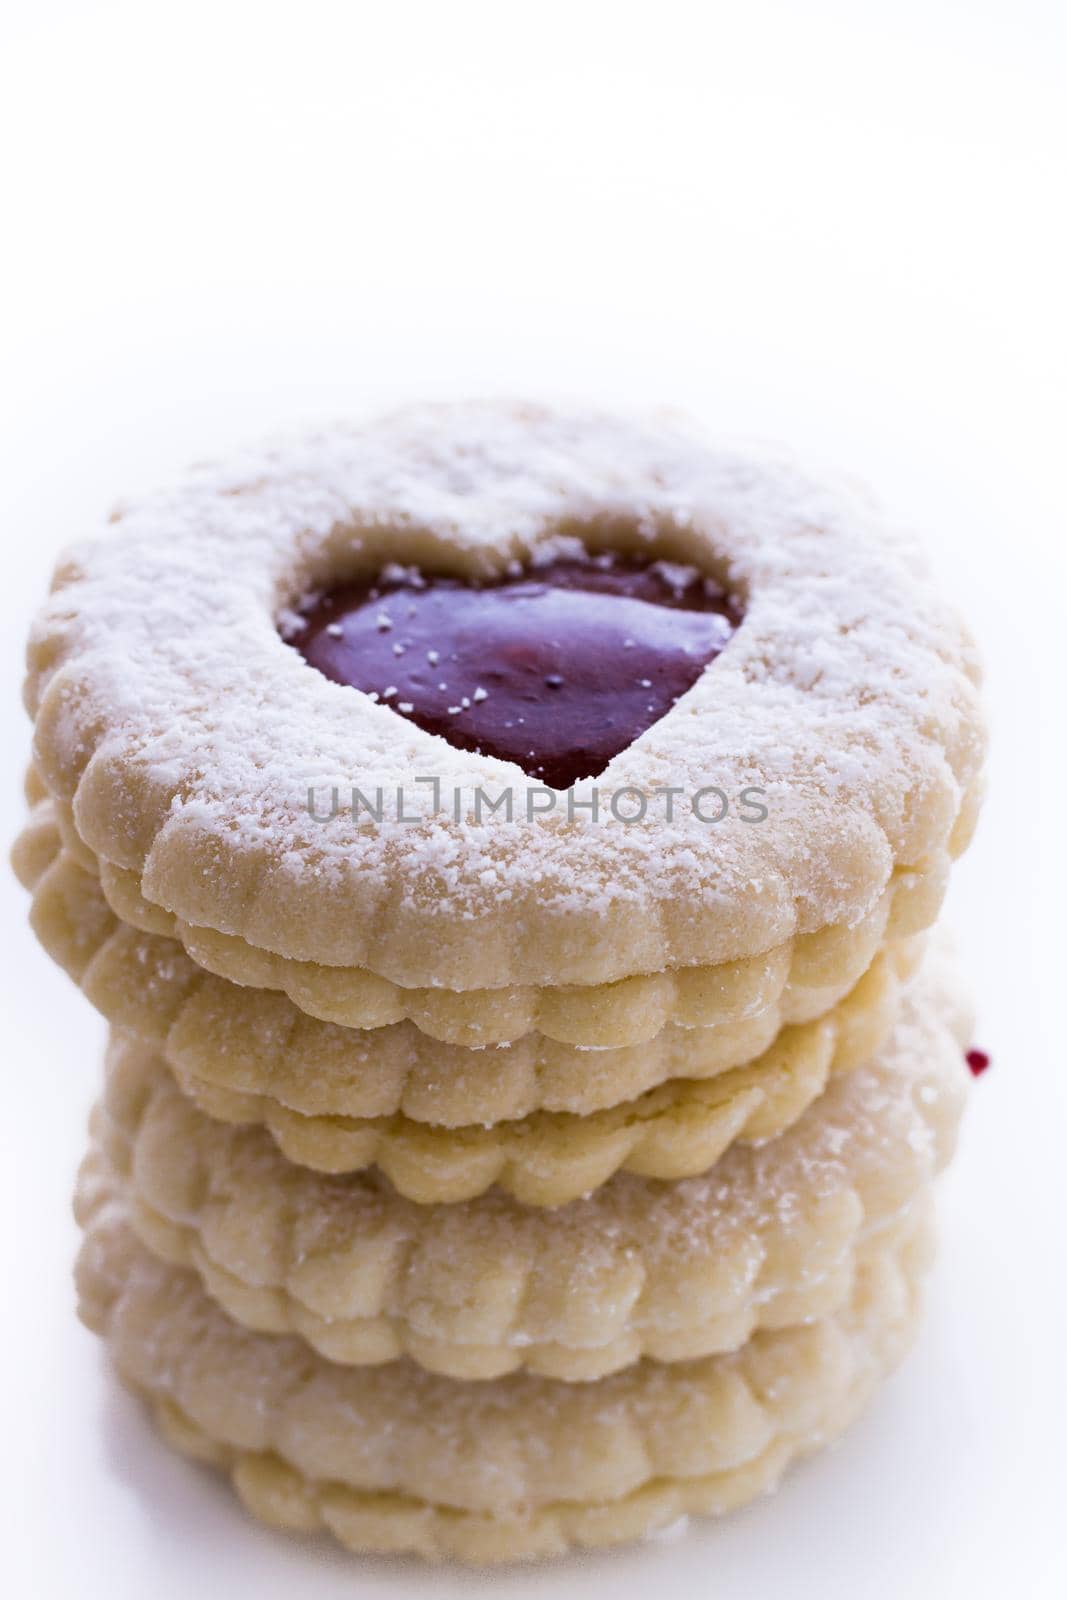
column 196, row 708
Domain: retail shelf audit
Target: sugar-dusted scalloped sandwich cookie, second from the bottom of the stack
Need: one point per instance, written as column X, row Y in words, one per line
column 642, row 1270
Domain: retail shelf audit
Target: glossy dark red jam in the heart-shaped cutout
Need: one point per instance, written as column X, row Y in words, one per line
column 556, row 668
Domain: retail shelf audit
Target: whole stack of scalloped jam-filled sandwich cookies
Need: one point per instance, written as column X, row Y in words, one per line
column 503, row 846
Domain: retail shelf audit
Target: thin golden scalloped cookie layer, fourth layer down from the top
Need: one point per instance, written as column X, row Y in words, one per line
column 551, row 1158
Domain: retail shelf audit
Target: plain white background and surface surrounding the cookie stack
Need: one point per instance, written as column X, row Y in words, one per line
column 837, row 225
